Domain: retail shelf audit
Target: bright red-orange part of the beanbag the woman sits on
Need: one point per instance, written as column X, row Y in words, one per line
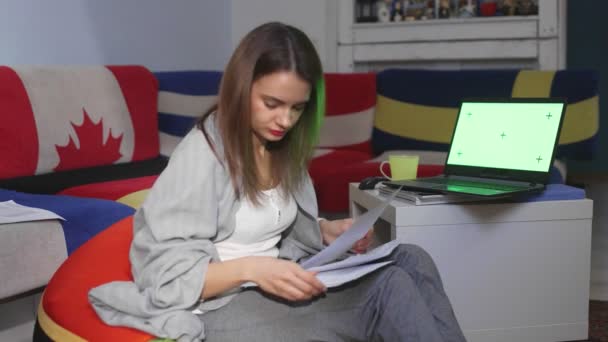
column 102, row 259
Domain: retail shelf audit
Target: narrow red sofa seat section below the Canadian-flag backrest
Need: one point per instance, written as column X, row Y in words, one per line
column 111, row 190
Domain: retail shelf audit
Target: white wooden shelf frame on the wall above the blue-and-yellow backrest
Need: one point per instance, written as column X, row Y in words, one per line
column 531, row 42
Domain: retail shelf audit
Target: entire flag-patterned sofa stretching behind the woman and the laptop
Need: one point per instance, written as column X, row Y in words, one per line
column 104, row 133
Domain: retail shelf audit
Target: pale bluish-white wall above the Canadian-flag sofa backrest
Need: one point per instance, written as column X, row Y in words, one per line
column 160, row 34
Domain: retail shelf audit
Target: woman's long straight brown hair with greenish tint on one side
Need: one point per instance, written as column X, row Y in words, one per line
column 269, row 48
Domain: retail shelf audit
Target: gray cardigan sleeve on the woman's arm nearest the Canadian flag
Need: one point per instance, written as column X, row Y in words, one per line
column 173, row 230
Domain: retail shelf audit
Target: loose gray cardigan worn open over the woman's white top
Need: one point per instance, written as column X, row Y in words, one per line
column 191, row 206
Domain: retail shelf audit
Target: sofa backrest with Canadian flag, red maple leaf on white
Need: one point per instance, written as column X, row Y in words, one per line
column 57, row 118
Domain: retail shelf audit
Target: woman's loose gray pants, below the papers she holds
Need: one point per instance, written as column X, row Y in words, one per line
column 401, row 302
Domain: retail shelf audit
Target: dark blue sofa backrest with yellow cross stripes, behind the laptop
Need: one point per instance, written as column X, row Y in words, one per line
column 416, row 109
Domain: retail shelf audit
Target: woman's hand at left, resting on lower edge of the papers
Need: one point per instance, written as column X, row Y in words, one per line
column 284, row 278
